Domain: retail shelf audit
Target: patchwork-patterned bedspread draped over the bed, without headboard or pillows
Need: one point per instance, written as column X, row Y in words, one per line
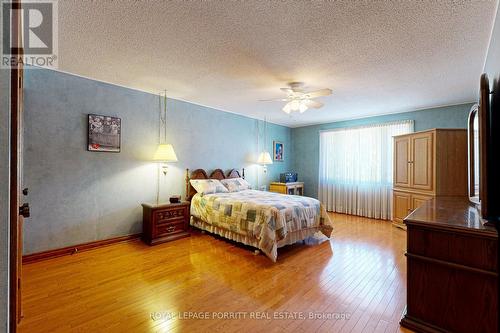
column 265, row 216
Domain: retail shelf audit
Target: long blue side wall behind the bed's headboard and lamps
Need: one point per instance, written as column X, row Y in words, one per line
column 79, row 196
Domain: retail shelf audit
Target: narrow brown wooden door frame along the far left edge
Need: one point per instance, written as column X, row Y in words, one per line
column 14, row 187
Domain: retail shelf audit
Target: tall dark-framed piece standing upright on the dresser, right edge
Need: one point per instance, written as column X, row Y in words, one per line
column 484, row 153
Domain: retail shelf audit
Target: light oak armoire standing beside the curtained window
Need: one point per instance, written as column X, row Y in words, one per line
column 428, row 164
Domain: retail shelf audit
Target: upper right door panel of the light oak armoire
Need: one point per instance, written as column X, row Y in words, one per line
column 422, row 161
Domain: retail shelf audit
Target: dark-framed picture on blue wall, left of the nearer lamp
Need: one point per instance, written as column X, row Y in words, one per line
column 104, row 133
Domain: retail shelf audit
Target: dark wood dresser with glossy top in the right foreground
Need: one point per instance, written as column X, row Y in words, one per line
column 452, row 261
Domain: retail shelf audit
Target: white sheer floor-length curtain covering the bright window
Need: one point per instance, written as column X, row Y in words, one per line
column 355, row 169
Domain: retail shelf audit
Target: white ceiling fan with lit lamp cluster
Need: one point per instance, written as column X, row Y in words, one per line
column 300, row 100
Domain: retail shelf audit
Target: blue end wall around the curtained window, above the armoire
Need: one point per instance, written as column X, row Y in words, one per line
column 305, row 140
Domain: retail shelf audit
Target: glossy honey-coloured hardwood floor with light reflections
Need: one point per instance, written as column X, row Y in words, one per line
column 359, row 276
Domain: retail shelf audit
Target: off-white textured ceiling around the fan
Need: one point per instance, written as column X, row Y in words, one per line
column 379, row 57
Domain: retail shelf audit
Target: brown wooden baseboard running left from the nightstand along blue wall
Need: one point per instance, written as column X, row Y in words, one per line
column 35, row 257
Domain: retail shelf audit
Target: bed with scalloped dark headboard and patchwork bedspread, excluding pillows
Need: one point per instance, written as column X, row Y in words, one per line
column 264, row 220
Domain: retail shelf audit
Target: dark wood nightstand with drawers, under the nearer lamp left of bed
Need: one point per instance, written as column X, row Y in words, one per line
column 164, row 222
